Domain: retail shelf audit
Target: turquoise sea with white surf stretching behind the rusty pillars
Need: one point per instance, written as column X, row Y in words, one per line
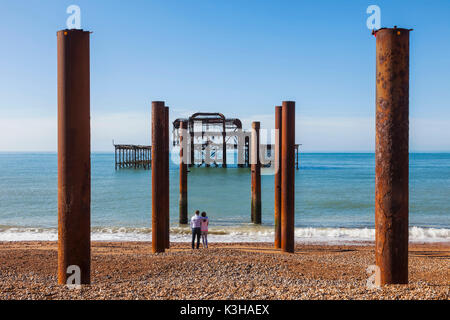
column 334, row 199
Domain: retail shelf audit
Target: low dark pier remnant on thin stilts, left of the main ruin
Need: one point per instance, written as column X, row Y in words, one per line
column 132, row 156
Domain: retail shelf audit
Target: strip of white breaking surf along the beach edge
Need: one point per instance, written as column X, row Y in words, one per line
column 228, row 234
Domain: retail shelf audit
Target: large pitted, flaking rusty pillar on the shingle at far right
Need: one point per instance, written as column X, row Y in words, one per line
column 391, row 155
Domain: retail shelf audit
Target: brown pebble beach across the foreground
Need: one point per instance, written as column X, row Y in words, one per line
column 128, row 270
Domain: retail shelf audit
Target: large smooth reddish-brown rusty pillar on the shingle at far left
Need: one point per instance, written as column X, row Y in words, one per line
column 74, row 153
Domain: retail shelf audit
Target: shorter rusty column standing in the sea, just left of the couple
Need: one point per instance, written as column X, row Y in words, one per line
column 183, row 174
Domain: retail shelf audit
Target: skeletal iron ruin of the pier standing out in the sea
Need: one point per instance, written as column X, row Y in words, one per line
column 210, row 135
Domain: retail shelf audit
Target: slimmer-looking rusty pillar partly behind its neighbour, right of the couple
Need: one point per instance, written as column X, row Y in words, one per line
column 277, row 204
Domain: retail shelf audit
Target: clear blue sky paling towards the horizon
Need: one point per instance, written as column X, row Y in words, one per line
column 240, row 58
